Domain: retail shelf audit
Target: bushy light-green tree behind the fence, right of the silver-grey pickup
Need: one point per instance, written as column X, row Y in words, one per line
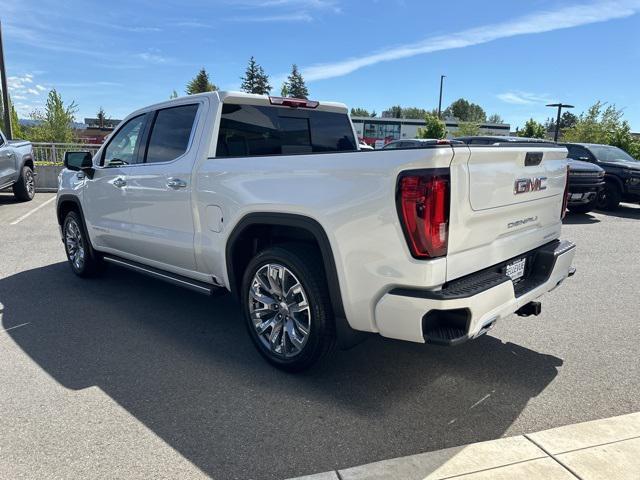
column 55, row 124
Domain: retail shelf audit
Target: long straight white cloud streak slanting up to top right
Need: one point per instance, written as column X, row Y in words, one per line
column 539, row 22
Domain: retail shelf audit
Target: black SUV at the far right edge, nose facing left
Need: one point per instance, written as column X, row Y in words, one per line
column 622, row 172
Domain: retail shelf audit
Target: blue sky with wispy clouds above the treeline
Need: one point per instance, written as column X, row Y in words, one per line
column 510, row 57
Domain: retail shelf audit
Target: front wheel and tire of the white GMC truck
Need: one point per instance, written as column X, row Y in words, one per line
column 83, row 259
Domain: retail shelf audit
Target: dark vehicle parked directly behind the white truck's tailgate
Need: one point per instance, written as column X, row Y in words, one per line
column 586, row 180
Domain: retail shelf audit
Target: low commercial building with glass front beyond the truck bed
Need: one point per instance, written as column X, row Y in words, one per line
column 373, row 130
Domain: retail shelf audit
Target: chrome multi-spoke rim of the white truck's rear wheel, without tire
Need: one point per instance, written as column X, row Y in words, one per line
column 279, row 310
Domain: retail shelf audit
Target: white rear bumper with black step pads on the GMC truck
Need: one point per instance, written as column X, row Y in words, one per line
column 466, row 308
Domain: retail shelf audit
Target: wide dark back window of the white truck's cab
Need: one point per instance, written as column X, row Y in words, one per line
column 248, row 130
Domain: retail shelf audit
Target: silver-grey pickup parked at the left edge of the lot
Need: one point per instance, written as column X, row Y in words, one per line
column 17, row 168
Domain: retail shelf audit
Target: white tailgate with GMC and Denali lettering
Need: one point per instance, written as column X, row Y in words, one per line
column 505, row 200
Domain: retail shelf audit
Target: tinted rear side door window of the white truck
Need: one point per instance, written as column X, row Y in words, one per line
column 170, row 133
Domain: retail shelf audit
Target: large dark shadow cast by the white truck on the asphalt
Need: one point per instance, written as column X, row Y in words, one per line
column 184, row 366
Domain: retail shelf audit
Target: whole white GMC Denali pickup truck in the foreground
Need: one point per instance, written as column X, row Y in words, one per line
column 271, row 199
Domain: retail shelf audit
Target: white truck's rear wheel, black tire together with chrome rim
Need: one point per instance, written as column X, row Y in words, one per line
column 285, row 301
